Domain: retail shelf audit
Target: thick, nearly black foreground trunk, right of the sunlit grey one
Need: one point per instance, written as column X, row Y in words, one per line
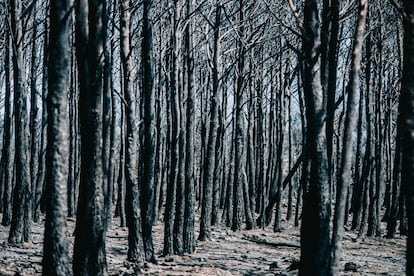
column 89, row 257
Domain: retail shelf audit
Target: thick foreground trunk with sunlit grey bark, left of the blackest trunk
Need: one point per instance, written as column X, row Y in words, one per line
column 55, row 246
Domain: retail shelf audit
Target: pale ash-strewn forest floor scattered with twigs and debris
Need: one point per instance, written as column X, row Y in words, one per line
column 254, row 252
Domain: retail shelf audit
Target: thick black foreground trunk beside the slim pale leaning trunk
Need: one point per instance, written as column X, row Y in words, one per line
column 315, row 244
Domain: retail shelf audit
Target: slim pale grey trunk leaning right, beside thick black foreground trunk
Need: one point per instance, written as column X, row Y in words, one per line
column 347, row 145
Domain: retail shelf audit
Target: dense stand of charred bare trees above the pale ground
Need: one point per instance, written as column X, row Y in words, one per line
column 161, row 110
